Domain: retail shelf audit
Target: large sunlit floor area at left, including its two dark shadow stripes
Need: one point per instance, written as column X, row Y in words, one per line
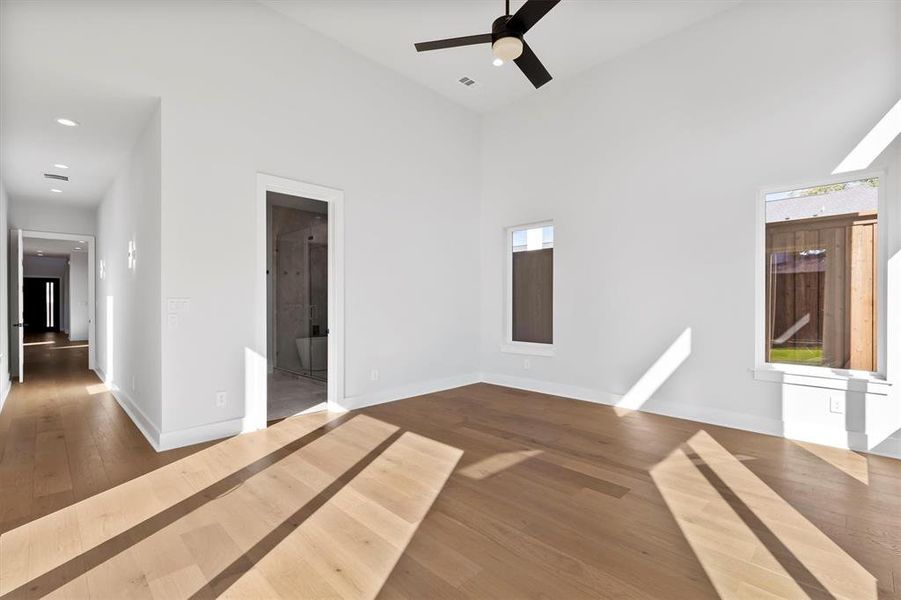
column 326, row 512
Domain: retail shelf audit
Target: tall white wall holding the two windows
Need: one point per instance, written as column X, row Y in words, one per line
column 650, row 167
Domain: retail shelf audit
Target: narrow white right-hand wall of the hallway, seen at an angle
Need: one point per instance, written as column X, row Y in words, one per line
column 128, row 300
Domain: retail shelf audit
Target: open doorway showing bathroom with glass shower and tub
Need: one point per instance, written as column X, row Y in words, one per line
column 298, row 304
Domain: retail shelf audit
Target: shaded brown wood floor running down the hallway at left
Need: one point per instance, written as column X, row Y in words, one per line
column 63, row 437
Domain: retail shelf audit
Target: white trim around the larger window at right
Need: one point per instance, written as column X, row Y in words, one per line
column 871, row 382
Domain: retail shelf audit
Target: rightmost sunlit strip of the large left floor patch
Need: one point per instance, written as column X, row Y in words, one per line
column 349, row 546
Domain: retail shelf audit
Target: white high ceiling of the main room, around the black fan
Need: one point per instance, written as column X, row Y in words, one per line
column 574, row 36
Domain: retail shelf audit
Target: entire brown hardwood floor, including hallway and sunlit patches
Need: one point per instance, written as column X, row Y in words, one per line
column 479, row 492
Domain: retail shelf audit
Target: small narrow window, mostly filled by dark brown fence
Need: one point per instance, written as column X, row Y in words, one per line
column 530, row 306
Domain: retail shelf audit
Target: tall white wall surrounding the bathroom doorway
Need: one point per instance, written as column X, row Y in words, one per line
column 283, row 100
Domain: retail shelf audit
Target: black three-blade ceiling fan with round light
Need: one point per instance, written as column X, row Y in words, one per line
column 506, row 39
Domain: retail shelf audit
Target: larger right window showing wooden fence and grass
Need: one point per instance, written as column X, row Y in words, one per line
column 821, row 270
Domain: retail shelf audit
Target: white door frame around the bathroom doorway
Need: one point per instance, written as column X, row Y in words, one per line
column 257, row 359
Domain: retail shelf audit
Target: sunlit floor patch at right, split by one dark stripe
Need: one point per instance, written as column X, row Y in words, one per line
column 749, row 540
